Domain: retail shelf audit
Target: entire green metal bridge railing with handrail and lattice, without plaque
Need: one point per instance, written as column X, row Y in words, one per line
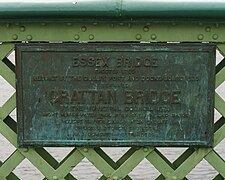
column 81, row 21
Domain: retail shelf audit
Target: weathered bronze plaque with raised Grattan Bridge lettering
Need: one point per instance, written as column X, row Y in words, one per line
column 115, row 94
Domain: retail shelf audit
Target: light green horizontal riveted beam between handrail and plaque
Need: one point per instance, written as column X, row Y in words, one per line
column 112, row 32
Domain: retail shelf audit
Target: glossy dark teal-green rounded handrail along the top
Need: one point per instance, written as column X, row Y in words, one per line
column 113, row 9
